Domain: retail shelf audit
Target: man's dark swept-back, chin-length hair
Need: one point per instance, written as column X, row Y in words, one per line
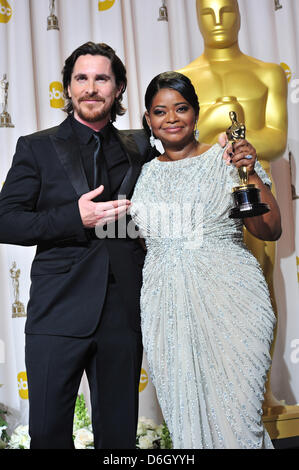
column 118, row 70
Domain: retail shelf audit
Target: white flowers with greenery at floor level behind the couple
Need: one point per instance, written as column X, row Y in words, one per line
column 149, row 434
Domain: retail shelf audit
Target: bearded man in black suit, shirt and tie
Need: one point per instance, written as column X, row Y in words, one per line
column 83, row 312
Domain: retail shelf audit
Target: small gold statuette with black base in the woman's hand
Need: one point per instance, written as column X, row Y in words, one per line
column 246, row 196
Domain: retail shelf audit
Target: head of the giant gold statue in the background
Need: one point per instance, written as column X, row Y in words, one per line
column 219, row 22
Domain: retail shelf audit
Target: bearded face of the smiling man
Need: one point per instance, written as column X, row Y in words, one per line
column 93, row 89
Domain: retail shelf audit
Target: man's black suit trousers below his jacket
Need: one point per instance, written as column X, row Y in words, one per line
column 111, row 358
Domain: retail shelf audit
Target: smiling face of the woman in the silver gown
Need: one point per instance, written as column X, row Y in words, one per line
column 171, row 118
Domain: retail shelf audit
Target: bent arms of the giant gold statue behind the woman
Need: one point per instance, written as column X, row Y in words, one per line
column 266, row 127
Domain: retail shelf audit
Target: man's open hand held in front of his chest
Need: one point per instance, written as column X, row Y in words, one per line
column 100, row 213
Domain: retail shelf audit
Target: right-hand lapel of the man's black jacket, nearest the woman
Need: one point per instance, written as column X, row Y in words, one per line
column 130, row 148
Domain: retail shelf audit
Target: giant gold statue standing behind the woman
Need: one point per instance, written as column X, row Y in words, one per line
column 259, row 92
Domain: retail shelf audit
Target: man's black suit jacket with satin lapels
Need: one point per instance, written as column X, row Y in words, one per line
column 39, row 206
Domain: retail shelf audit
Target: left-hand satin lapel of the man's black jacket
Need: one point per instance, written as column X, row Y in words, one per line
column 68, row 152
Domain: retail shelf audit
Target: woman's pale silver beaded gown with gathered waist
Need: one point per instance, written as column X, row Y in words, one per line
column 207, row 320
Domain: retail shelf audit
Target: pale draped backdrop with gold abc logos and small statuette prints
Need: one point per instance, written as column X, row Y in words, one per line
column 31, row 59
